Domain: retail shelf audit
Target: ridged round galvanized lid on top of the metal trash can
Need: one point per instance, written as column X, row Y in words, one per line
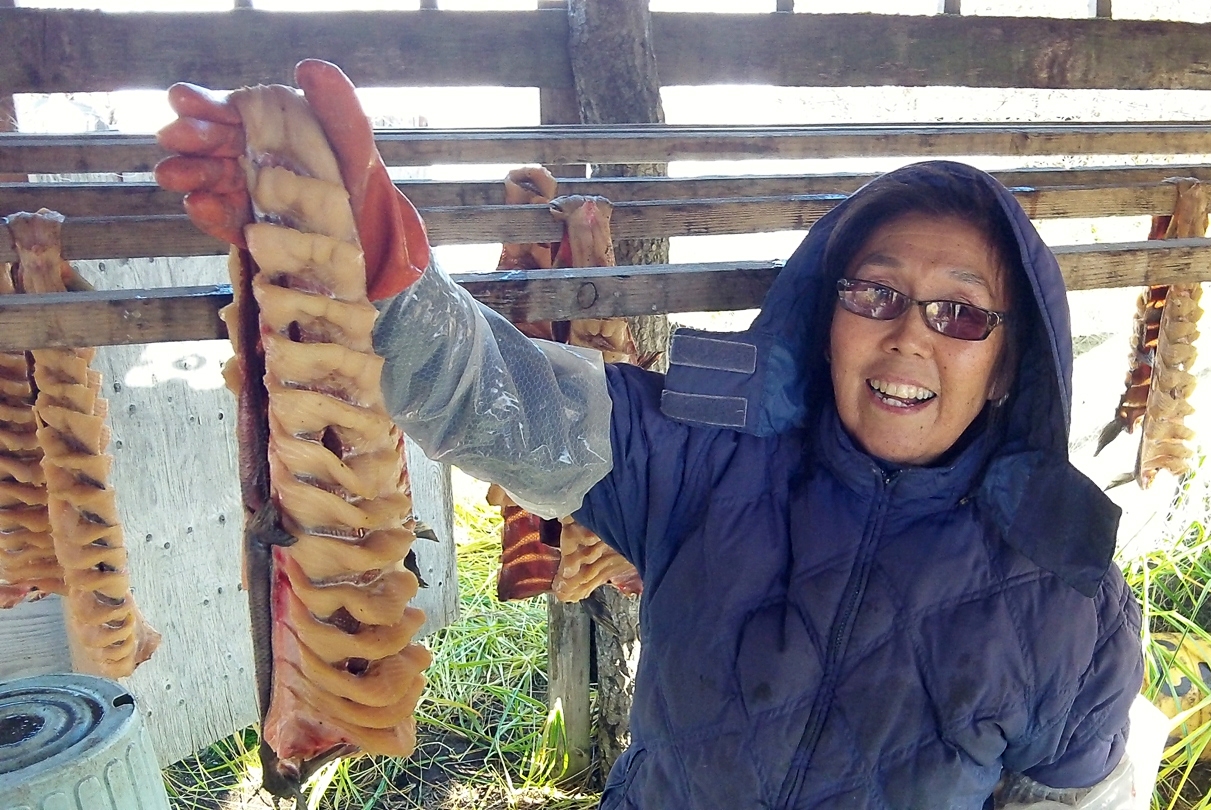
column 51, row 720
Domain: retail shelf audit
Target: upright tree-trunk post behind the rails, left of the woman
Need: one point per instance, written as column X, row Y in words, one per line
column 615, row 73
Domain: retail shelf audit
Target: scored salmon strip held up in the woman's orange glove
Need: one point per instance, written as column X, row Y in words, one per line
column 326, row 493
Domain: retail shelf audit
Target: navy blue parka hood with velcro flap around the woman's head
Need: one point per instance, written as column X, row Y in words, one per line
column 773, row 378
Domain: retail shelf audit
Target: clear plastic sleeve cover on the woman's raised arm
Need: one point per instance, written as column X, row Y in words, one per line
column 474, row 392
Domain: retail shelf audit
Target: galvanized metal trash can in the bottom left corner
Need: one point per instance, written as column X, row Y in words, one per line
column 76, row 743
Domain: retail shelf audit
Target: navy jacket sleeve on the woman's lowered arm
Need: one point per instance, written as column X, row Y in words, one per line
column 1081, row 746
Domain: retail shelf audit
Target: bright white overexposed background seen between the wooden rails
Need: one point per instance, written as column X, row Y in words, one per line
column 1101, row 319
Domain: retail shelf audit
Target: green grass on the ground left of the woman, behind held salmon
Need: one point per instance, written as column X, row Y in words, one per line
column 485, row 737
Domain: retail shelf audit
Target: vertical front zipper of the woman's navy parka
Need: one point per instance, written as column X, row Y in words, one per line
column 857, row 585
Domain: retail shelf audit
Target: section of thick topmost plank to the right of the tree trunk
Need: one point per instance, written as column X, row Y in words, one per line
column 859, row 50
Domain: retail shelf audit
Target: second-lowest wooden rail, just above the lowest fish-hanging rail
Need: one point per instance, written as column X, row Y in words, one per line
column 175, row 235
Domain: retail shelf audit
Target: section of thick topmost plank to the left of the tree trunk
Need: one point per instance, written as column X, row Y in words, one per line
column 59, row 51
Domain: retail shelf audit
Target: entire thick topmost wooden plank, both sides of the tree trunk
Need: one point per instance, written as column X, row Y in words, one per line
column 61, row 51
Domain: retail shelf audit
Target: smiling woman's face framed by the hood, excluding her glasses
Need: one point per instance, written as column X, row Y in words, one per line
column 904, row 392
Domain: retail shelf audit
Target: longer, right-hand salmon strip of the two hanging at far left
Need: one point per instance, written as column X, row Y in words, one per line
column 104, row 622
